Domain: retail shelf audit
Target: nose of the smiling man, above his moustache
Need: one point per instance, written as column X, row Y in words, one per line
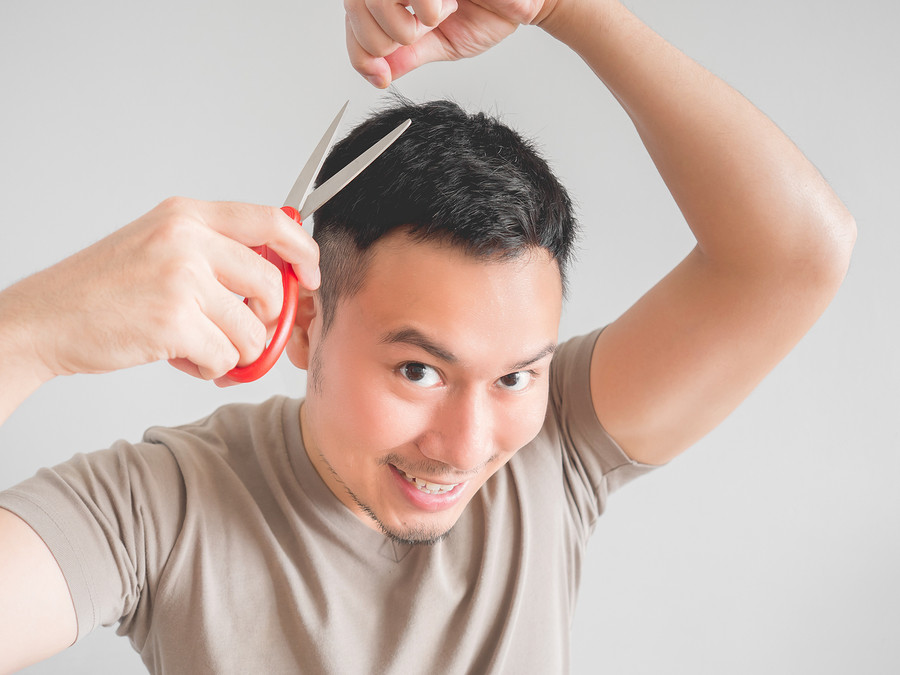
column 461, row 435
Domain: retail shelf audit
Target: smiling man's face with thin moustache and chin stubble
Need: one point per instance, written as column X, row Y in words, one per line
column 428, row 380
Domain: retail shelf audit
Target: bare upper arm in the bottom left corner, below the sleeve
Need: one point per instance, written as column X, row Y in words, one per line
column 37, row 617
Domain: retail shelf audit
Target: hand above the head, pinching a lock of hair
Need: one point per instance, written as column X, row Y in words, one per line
column 385, row 41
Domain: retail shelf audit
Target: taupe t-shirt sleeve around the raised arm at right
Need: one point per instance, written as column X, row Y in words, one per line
column 594, row 466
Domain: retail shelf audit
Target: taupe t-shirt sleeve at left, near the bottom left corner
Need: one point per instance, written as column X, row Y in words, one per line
column 110, row 518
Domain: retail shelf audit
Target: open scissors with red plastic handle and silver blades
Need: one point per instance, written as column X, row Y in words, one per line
column 300, row 205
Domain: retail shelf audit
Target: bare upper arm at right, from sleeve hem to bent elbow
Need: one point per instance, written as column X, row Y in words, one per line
column 683, row 357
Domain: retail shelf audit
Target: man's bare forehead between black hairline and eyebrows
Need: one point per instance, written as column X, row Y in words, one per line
column 469, row 304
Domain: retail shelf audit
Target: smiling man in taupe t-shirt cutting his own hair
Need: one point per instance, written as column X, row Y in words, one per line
column 440, row 409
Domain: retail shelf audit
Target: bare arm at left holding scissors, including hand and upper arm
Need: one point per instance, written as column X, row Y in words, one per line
column 161, row 288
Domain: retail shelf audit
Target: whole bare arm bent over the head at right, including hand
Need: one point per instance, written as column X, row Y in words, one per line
column 773, row 241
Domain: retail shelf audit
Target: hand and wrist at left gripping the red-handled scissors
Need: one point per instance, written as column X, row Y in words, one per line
column 168, row 286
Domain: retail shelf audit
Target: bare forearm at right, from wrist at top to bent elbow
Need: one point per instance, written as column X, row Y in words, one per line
column 749, row 195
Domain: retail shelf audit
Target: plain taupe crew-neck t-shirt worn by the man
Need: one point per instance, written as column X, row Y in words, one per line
column 218, row 549
